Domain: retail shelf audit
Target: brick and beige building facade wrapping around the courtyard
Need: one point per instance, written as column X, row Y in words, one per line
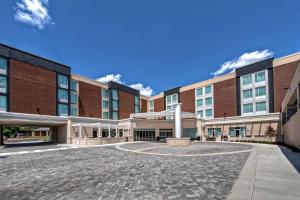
column 240, row 105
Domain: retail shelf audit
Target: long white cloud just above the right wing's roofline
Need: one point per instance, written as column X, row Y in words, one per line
column 243, row 60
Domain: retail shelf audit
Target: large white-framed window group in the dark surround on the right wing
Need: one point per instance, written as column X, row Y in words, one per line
column 254, row 93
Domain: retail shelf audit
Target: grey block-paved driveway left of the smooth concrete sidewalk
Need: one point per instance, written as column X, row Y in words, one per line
column 111, row 173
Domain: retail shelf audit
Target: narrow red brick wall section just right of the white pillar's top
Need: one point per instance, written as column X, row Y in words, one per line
column 187, row 98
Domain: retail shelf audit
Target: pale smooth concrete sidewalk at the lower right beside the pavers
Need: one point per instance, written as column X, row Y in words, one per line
column 269, row 173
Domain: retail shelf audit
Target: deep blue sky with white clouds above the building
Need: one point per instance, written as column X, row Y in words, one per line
column 158, row 43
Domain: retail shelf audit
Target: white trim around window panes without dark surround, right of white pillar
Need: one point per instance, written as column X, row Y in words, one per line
column 205, row 107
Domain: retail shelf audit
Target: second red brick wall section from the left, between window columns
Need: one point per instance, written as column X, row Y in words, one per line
column 90, row 100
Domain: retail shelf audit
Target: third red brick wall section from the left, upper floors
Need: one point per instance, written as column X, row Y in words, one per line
column 126, row 105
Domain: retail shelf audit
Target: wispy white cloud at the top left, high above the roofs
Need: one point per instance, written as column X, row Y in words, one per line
column 33, row 12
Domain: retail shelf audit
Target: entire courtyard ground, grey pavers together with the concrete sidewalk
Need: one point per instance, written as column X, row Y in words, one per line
column 146, row 170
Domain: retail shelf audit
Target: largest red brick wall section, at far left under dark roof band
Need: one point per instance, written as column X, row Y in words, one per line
column 31, row 88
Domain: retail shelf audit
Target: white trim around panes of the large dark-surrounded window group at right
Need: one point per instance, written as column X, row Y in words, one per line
column 254, row 98
